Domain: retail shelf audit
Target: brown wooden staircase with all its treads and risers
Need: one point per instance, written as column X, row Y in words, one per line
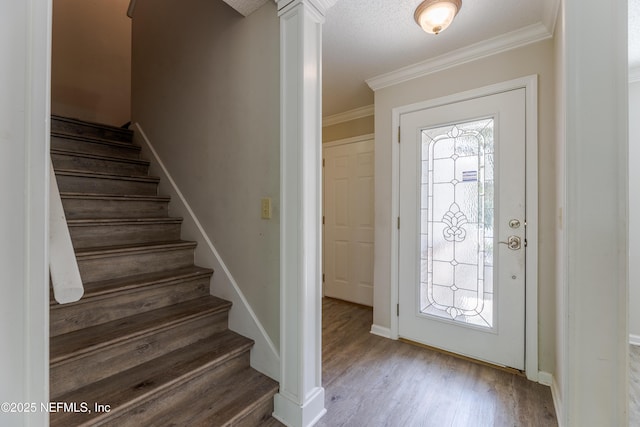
column 147, row 345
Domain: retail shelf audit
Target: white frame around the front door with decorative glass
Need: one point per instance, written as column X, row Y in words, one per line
column 530, row 84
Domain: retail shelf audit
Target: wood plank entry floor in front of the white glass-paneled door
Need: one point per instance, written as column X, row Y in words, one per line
column 372, row 381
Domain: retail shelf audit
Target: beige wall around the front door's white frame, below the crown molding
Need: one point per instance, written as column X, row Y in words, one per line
column 537, row 59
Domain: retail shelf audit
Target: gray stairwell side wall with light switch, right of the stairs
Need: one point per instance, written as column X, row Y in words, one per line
column 205, row 88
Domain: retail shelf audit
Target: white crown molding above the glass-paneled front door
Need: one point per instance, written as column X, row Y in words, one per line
column 513, row 40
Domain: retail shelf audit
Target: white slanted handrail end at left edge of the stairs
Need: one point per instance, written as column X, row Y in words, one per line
column 63, row 266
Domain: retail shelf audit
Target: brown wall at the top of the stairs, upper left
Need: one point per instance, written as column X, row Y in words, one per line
column 91, row 61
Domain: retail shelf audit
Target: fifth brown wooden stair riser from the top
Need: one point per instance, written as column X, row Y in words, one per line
column 76, row 208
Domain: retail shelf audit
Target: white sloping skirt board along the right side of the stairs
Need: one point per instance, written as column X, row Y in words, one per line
column 242, row 319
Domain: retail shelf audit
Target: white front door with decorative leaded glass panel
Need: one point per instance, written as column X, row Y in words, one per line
column 462, row 235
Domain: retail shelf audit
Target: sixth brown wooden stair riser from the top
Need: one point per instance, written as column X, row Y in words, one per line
column 112, row 235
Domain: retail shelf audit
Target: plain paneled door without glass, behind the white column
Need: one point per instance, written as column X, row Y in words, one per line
column 348, row 222
